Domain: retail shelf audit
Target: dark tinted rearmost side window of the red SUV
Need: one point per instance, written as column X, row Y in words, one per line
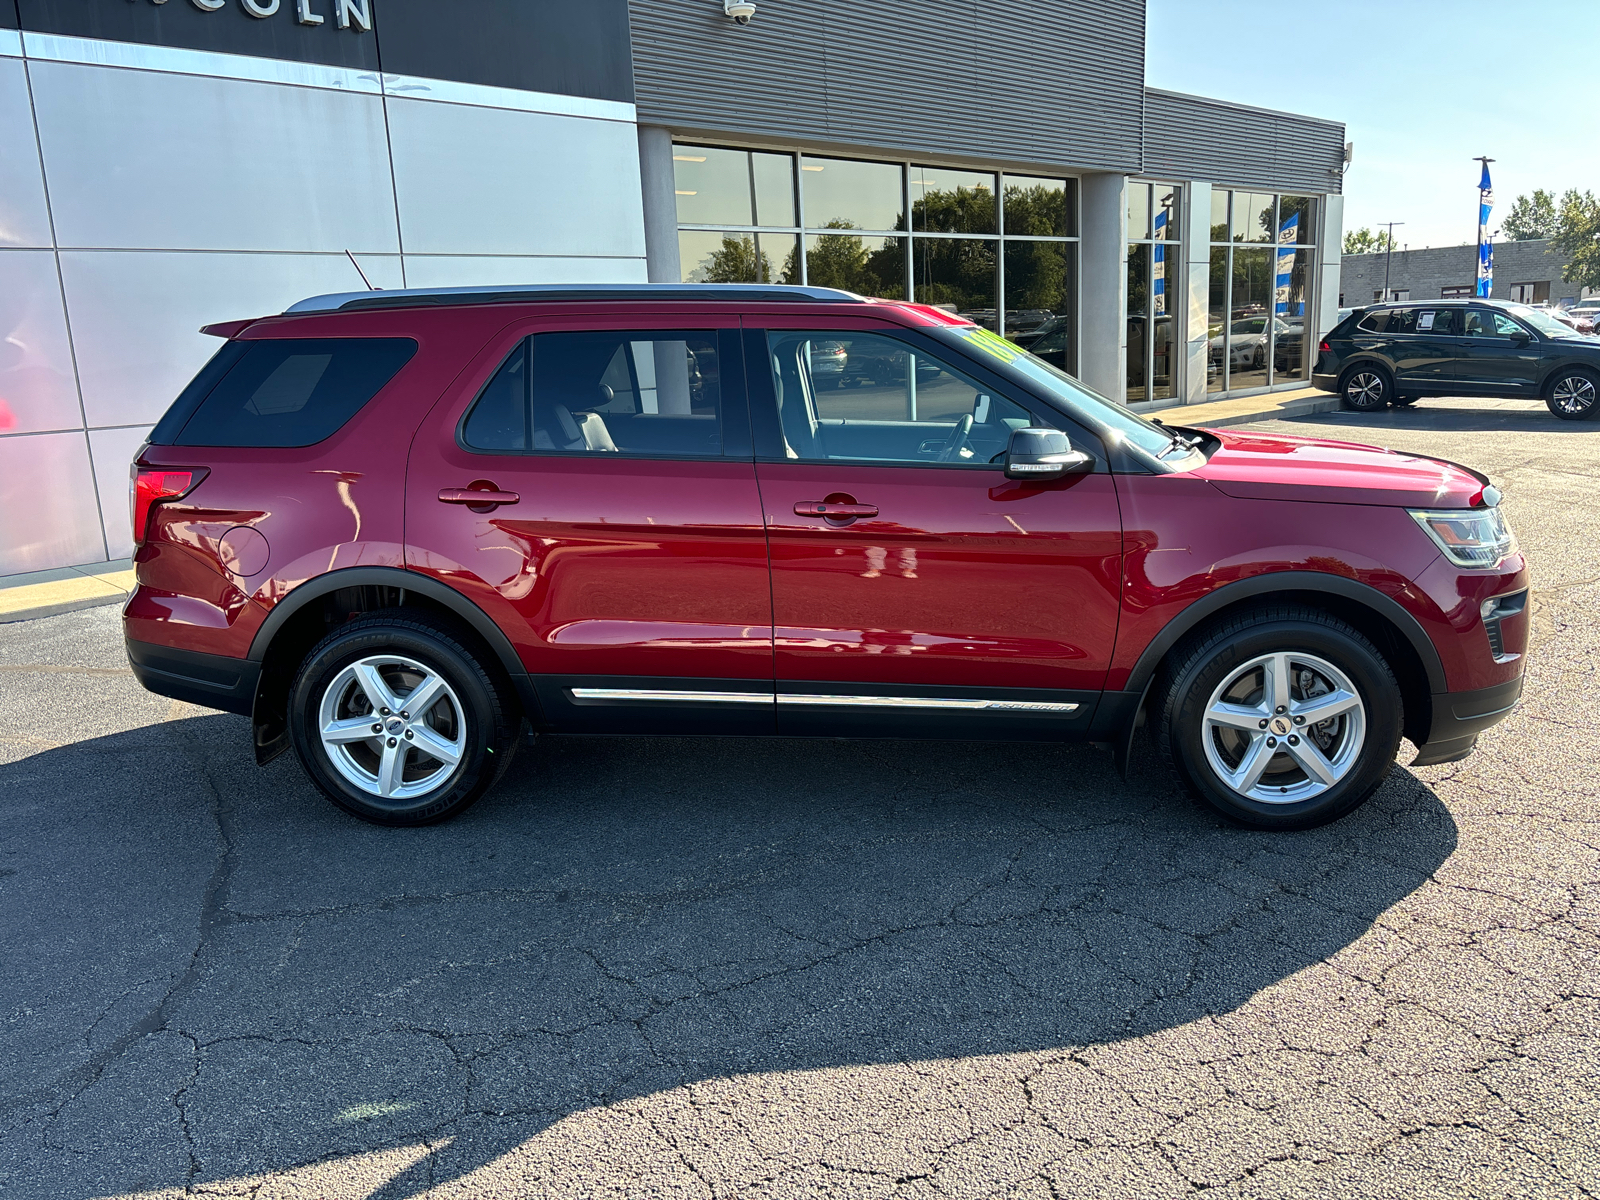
column 295, row 391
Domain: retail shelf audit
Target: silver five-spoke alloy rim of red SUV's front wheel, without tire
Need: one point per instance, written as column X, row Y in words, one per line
column 1284, row 729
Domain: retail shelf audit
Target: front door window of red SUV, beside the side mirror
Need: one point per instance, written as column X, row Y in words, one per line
column 865, row 398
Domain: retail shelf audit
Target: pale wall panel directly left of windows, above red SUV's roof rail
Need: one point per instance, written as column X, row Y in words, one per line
column 494, row 182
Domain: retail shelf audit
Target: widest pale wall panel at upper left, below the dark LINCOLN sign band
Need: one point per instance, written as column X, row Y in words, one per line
column 183, row 162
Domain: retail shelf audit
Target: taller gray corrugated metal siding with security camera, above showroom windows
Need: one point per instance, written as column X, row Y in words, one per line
column 1054, row 82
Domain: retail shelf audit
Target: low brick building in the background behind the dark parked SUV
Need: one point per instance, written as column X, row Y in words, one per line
column 1524, row 271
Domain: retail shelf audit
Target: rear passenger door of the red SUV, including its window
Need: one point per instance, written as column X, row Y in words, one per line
column 590, row 484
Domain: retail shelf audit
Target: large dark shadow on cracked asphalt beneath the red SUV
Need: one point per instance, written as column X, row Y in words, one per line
column 233, row 977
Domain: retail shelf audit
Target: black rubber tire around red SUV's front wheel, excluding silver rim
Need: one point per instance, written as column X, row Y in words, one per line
column 1201, row 676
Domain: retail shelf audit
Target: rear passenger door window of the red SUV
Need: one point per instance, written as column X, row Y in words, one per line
column 647, row 394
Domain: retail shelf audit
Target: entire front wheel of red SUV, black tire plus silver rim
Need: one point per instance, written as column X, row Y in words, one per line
column 1327, row 772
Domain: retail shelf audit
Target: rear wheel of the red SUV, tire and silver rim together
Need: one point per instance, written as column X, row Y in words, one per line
column 391, row 778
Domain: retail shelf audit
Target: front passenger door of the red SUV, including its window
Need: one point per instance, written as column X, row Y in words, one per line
column 916, row 590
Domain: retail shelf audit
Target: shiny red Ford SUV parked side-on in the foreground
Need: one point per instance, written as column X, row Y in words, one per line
column 401, row 529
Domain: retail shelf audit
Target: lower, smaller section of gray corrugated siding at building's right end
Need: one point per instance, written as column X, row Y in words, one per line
column 1238, row 146
